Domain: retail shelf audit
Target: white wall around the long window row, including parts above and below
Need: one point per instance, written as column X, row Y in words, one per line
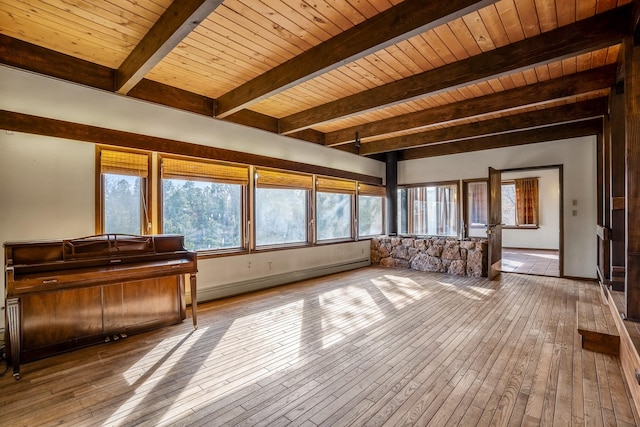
column 47, row 185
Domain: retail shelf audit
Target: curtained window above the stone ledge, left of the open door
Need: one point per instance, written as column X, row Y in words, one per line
column 429, row 210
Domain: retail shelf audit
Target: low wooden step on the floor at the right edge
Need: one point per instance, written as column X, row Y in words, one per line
column 597, row 327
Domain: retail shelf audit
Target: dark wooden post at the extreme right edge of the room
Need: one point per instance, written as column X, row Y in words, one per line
column 632, row 150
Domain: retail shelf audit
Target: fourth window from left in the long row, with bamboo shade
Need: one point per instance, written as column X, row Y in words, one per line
column 334, row 208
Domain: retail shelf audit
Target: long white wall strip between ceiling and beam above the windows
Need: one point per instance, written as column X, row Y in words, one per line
column 47, row 97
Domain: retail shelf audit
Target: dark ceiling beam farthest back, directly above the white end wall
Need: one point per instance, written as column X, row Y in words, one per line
column 511, row 139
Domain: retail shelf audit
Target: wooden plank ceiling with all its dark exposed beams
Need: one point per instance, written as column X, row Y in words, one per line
column 420, row 78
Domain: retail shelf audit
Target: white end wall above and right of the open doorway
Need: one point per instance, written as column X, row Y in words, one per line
column 578, row 157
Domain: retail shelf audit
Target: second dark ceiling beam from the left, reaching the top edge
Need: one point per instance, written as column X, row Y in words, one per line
column 403, row 21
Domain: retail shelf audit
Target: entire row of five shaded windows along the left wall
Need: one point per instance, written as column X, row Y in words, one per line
column 227, row 207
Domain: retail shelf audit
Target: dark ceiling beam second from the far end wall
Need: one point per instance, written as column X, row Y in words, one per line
column 563, row 114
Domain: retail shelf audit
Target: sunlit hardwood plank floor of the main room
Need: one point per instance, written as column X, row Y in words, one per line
column 369, row 347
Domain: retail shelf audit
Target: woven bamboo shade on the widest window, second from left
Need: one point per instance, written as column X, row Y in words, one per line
column 217, row 172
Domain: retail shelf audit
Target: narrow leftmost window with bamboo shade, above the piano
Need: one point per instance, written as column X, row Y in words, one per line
column 124, row 193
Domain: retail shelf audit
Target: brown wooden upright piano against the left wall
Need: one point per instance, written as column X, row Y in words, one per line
column 65, row 294
